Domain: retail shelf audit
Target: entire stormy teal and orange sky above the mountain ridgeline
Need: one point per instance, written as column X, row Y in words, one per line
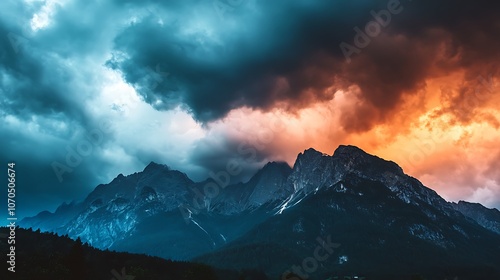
column 91, row 89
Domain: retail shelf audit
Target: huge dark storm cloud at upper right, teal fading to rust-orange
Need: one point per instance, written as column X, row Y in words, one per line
column 289, row 51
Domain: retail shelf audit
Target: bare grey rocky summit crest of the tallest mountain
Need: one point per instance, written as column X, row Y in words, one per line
column 314, row 170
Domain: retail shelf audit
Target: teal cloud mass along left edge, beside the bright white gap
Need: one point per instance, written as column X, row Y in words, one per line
column 43, row 89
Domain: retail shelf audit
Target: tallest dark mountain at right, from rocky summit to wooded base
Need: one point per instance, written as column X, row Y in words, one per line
column 387, row 225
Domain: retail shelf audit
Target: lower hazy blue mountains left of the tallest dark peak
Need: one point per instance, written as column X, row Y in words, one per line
column 131, row 211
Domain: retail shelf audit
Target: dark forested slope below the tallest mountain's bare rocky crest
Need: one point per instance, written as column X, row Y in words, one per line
column 377, row 232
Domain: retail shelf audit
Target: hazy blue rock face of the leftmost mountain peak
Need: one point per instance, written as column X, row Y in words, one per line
column 112, row 211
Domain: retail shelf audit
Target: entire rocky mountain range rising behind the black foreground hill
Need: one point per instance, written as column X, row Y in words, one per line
column 384, row 223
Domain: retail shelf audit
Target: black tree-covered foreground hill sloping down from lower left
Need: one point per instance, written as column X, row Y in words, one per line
column 42, row 256
